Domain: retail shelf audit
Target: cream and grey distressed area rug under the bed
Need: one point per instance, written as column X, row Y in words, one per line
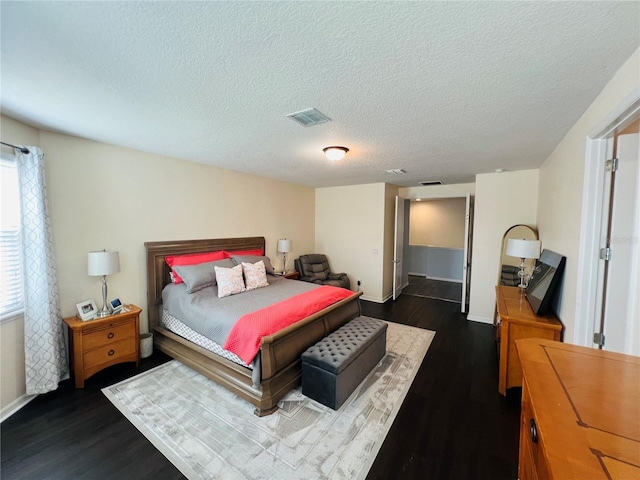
column 208, row 432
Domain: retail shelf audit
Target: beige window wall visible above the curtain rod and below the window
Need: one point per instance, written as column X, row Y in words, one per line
column 12, row 332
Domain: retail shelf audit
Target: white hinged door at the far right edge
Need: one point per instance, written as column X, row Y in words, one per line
column 619, row 276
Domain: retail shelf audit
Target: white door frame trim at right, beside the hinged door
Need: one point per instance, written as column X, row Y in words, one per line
column 591, row 219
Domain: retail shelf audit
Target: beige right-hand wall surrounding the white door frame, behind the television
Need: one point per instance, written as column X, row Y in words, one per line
column 561, row 187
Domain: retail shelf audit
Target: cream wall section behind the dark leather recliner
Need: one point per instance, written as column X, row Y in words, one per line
column 350, row 223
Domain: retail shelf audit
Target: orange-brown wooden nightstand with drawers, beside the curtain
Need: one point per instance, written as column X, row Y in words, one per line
column 100, row 343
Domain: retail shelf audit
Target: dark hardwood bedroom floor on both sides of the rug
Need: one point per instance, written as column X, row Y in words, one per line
column 453, row 423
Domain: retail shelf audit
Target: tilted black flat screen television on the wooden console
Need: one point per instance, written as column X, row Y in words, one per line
column 544, row 281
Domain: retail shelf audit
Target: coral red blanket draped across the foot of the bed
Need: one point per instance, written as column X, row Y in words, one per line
column 245, row 336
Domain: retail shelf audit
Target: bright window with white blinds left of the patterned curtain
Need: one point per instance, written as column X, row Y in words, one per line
column 11, row 282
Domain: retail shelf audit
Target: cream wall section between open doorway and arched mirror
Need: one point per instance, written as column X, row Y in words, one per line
column 502, row 200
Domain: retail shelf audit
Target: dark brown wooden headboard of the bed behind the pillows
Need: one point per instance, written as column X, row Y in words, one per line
column 158, row 270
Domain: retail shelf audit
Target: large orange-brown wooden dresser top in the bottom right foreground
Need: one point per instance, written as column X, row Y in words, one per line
column 580, row 412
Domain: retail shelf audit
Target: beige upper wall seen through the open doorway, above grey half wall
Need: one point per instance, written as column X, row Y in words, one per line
column 438, row 222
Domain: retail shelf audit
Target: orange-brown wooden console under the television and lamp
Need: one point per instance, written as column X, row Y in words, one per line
column 517, row 320
